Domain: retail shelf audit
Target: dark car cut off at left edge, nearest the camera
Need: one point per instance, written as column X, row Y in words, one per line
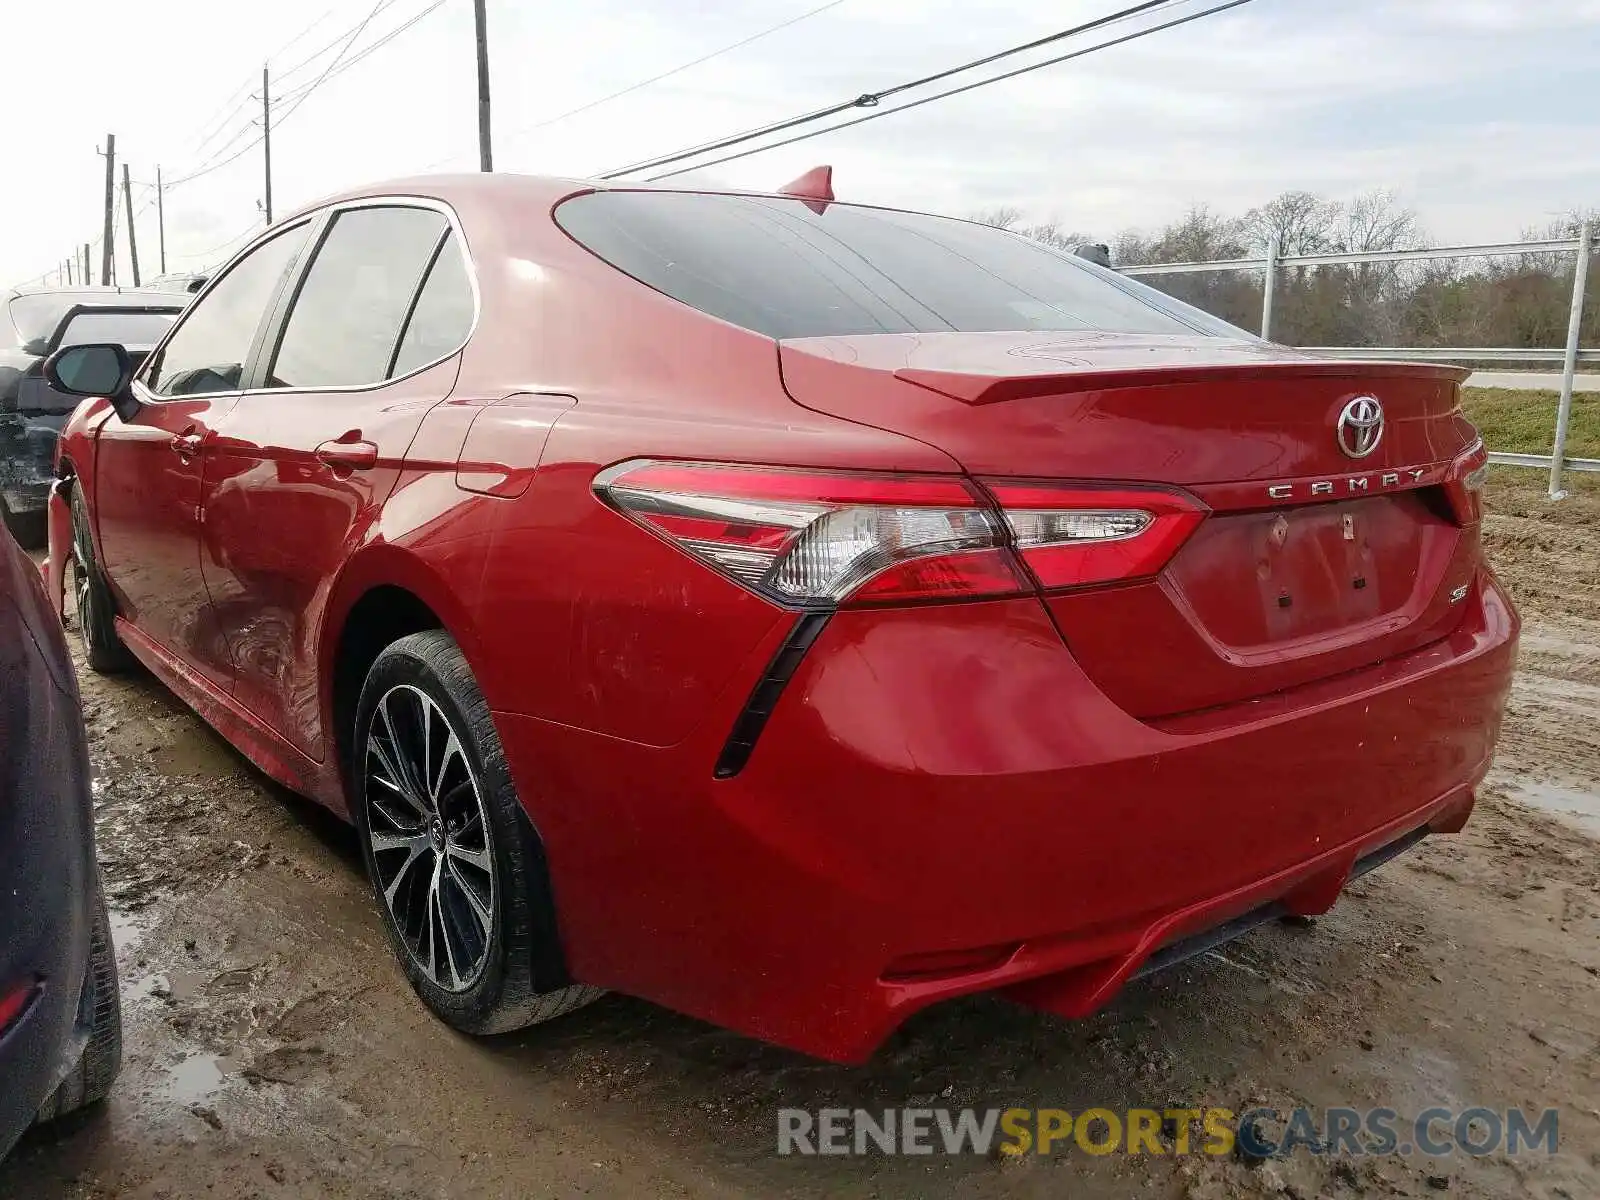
column 60, row 1020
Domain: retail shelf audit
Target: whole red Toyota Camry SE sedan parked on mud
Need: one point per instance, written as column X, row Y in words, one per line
column 785, row 610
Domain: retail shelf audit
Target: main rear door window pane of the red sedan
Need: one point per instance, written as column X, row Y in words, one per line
column 348, row 318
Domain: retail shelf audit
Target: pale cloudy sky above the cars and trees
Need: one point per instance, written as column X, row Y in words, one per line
column 1482, row 114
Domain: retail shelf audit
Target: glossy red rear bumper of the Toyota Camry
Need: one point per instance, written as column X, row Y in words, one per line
column 945, row 804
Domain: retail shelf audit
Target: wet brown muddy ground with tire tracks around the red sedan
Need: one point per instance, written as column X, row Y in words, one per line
column 274, row 1049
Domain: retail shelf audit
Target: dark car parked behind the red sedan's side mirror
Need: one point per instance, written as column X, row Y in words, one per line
column 33, row 326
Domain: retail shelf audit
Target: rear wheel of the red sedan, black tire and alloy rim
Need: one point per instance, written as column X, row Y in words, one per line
column 457, row 868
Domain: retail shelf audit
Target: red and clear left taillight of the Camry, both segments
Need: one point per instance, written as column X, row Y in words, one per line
column 817, row 538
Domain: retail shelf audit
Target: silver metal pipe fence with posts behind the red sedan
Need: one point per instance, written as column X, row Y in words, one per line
column 1582, row 249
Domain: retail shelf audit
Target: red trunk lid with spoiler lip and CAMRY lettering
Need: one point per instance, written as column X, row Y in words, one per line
column 1311, row 562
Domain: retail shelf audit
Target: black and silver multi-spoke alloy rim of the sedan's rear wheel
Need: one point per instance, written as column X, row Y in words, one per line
column 428, row 828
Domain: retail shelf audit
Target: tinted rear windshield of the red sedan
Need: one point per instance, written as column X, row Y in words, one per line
column 778, row 268
